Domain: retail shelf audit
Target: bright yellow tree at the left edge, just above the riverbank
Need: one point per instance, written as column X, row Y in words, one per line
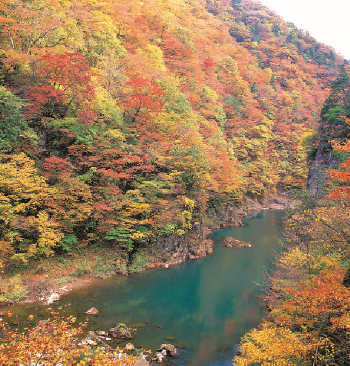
column 23, row 195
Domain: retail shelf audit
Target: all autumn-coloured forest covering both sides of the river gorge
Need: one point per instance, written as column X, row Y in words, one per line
column 127, row 125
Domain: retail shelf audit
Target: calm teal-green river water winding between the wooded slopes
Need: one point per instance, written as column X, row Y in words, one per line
column 205, row 305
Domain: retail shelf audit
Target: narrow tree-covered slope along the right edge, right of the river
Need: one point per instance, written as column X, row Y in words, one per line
column 309, row 292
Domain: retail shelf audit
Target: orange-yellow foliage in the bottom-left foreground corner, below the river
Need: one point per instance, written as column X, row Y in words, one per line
column 53, row 341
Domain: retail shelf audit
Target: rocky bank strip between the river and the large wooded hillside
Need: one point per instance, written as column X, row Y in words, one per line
column 47, row 285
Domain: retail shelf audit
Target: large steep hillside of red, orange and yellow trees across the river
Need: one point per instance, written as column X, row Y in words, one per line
column 122, row 121
